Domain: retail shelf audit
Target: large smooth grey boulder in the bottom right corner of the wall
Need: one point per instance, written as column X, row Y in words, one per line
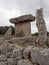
column 40, row 57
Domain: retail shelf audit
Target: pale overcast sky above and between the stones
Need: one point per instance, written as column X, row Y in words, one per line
column 15, row 8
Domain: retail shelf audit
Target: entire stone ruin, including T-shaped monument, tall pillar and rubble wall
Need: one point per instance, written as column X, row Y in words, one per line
column 13, row 54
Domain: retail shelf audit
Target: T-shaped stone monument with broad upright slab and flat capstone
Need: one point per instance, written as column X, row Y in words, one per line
column 22, row 25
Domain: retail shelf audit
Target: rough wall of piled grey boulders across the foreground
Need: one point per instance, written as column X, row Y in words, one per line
column 16, row 55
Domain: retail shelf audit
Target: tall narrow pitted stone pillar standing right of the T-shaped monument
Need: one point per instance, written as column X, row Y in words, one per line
column 40, row 23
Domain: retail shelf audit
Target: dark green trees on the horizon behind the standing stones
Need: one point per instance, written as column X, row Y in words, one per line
column 3, row 30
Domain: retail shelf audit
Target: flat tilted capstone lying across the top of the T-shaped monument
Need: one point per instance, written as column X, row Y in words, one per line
column 23, row 18
